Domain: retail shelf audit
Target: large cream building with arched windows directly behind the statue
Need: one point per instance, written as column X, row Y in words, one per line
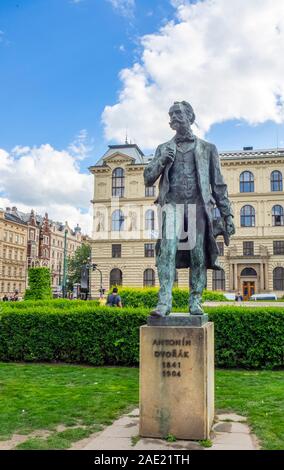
column 125, row 222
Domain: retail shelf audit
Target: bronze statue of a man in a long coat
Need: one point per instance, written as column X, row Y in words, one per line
column 190, row 176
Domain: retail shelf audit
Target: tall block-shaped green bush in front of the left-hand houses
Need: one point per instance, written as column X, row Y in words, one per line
column 39, row 284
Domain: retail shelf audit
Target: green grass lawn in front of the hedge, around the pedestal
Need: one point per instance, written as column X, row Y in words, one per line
column 36, row 397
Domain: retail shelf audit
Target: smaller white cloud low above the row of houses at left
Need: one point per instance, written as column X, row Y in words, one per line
column 46, row 179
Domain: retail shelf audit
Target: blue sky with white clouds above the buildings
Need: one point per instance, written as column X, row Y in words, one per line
column 78, row 75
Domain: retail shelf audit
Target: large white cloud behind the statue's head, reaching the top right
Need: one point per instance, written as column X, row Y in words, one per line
column 224, row 57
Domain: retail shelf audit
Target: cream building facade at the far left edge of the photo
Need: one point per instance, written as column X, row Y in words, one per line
column 13, row 253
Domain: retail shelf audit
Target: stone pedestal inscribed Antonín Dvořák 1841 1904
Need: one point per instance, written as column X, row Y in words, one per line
column 177, row 381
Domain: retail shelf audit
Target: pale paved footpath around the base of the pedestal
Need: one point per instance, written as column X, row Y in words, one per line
column 230, row 432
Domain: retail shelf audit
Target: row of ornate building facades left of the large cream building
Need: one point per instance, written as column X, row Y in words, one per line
column 30, row 240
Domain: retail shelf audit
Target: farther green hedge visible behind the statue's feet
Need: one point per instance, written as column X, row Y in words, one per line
column 148, row 297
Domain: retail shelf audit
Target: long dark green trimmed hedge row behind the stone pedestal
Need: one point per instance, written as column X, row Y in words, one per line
column 244, row 337
